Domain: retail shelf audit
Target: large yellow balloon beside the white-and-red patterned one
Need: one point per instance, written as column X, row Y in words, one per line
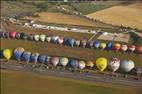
column 101, row 63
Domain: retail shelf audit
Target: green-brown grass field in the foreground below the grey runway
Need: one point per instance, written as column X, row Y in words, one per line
column 28, row 83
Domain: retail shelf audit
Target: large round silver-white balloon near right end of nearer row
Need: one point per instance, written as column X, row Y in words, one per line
column 127, row 65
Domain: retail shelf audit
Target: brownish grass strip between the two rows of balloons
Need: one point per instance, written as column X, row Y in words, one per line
column 58, row 50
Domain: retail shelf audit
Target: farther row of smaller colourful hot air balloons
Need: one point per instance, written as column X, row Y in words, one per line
column 73, row 42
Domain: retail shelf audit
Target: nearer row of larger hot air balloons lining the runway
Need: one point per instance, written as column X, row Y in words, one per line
column 101, row 63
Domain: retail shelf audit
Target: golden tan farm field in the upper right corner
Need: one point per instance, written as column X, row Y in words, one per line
column 126, row 15
